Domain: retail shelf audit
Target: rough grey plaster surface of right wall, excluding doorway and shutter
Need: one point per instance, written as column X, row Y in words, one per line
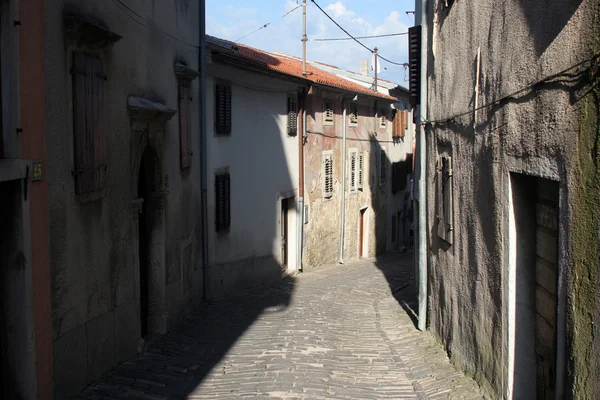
column 538, row 131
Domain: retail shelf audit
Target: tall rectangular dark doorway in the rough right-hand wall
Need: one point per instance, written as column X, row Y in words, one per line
column 535, row 204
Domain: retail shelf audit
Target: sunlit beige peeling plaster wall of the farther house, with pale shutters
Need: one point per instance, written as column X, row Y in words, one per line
column 322, row 232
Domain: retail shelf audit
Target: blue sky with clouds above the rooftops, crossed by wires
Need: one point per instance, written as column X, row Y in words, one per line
column 233, row 19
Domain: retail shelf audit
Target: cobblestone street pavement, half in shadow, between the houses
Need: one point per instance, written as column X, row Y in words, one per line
column 341, row 332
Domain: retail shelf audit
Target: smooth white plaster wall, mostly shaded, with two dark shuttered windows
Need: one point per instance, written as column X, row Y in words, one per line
column 262, row 160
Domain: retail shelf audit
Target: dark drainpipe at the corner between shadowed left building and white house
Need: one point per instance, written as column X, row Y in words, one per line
column 203, row 161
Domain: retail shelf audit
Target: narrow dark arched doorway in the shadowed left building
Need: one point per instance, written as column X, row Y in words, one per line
column 146, row 185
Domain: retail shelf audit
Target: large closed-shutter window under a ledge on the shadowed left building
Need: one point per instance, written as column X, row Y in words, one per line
column 88, row 123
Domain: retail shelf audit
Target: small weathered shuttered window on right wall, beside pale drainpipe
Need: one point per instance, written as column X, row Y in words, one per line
column 445, row 198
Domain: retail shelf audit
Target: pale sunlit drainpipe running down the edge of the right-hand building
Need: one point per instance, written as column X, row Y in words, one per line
column 421, row 19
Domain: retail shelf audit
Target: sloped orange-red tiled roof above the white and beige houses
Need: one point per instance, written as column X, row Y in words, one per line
column 286, row 65
